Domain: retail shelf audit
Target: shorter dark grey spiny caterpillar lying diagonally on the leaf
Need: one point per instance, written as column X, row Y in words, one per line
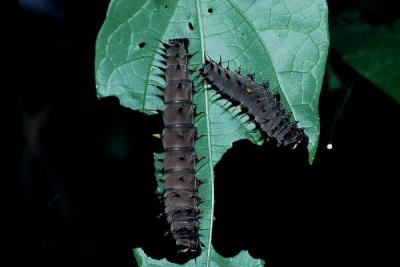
column 260, row 103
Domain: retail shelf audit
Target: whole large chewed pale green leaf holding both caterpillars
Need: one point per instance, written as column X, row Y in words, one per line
column 283, row 42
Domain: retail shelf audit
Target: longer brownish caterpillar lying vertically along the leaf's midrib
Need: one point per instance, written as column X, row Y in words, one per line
column 180, row 197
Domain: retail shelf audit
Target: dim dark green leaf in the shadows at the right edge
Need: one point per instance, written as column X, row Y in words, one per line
column 373, row 52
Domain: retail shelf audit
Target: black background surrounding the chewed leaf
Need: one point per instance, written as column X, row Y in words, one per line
column 86, row 167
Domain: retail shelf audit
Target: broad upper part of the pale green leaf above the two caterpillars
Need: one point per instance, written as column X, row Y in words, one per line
column 285, row 42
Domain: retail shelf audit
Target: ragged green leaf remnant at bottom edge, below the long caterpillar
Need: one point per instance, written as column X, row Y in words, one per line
column 215, row 260
